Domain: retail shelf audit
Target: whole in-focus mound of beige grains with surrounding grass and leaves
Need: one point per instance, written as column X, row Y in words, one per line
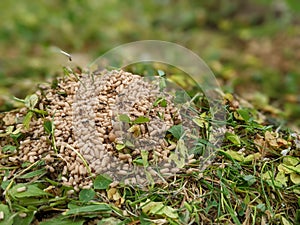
column 56, row 159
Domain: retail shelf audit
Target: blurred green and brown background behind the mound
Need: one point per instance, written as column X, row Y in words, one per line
column 252, row 46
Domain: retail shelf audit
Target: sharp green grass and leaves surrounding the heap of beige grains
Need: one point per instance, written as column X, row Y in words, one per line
column 250, row 181
